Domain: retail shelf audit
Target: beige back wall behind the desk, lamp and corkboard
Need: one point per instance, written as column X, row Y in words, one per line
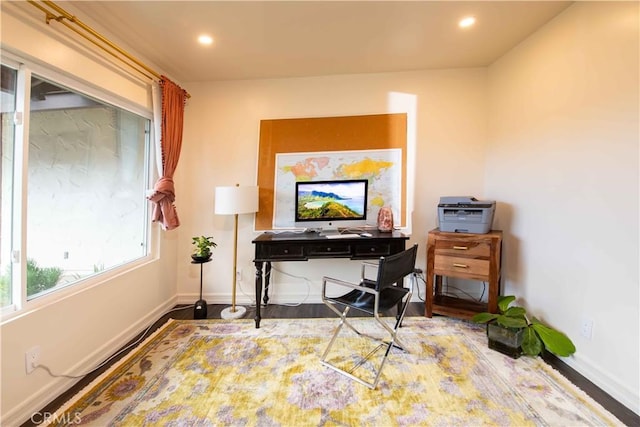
column 447, row 120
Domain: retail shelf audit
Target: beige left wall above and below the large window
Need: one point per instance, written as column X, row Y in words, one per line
column 92, row 320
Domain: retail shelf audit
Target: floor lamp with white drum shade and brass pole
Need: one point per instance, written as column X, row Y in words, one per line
column 234, row 201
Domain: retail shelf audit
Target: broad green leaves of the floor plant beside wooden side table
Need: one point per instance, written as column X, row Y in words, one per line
column 536, row 335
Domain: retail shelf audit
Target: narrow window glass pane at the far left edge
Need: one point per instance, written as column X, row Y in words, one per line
column 8, row 77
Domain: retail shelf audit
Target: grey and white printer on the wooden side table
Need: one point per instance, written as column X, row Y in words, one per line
column 465, row 214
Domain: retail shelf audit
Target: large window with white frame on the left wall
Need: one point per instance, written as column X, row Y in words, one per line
column 86, row 179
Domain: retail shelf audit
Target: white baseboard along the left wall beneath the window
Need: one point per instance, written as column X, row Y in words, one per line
column 31, row 406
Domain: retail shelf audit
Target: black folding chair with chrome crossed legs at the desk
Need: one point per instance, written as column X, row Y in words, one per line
column 373, row 297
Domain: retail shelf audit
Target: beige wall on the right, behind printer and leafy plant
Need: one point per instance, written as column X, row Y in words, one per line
column 562, row 158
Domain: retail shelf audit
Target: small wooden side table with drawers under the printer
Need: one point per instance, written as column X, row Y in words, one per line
column 465, row 256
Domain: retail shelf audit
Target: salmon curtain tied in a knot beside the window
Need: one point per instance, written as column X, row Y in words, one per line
column 164, row 195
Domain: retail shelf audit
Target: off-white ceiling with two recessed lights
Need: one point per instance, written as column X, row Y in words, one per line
column 271, row 39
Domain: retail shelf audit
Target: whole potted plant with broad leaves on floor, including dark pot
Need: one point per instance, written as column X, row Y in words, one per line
column 513, row 333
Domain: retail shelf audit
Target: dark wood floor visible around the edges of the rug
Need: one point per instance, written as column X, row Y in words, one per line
column 624, row 414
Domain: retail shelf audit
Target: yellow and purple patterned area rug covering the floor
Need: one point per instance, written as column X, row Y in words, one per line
column 216, row 372
